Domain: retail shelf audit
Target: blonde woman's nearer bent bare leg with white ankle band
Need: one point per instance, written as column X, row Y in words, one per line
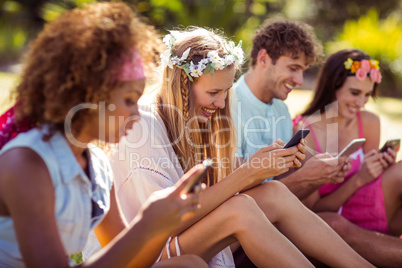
column 240, row 219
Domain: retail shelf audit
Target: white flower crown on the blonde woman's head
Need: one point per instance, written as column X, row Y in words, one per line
column 212, row 62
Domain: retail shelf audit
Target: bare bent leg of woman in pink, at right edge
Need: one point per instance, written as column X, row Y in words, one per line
column 392, row 189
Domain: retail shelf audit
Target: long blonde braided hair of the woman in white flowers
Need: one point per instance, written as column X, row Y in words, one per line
column 175, row 91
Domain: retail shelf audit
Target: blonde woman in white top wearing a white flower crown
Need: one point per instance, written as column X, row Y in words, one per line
column 188, row 120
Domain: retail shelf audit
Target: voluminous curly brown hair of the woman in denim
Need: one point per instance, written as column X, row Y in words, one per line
column 75, row 59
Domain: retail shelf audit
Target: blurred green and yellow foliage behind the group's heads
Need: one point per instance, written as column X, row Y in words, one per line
column 370, row 25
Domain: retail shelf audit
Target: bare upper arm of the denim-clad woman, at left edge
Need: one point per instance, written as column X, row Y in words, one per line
column 30, row 201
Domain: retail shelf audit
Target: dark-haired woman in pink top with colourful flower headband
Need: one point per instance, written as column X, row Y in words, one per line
column 370, row 194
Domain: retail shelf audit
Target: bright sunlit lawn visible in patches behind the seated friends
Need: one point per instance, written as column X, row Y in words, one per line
column 388, row 109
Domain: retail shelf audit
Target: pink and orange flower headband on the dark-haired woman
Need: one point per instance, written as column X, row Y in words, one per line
column 363, row 68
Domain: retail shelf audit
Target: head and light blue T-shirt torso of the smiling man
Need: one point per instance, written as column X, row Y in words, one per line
column 282, row 51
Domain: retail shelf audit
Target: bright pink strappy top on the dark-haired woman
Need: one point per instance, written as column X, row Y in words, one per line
column 365, row 207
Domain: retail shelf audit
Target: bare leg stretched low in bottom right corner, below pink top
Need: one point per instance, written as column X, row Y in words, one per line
column 380, row 249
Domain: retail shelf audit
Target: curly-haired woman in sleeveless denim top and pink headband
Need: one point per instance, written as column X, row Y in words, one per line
column 82, row 72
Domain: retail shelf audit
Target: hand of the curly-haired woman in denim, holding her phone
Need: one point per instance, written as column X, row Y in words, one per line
column 165, row 209
